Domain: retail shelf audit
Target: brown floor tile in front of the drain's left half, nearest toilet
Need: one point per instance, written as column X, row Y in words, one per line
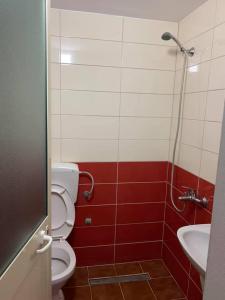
column 106, row 292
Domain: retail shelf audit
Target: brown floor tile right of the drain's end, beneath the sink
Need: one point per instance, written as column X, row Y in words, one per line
column 166, row 289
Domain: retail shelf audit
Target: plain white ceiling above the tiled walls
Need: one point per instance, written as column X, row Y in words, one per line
column 168, row 10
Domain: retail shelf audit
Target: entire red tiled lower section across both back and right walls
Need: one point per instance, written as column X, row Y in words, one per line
column 133, row 217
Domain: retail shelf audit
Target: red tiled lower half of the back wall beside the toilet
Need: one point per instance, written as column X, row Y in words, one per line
column 127, row 212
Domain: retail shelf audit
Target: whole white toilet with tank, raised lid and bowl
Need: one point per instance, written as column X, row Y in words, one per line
column 65, row 178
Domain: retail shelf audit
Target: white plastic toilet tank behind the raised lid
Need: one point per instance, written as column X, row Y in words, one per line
column 67, row 176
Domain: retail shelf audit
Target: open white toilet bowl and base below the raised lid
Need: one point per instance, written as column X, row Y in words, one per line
column 63, row 266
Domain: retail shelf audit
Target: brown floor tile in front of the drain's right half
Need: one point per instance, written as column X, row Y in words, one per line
column 137, row 291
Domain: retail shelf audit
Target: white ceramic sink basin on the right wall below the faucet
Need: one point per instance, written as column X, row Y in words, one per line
column 194, row 240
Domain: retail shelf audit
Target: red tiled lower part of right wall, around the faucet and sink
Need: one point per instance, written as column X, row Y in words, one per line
column 177, row 262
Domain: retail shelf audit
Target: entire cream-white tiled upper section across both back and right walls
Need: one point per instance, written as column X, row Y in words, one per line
column 112, row 85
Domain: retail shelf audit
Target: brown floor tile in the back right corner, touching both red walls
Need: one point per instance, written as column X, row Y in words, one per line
column 155, row 268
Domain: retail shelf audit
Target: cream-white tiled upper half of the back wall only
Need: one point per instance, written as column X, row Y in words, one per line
column 112, row 87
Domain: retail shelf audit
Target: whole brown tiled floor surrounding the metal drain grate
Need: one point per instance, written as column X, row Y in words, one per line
column 161, row 286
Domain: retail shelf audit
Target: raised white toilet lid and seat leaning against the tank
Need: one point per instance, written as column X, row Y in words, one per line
column 63, row 212
